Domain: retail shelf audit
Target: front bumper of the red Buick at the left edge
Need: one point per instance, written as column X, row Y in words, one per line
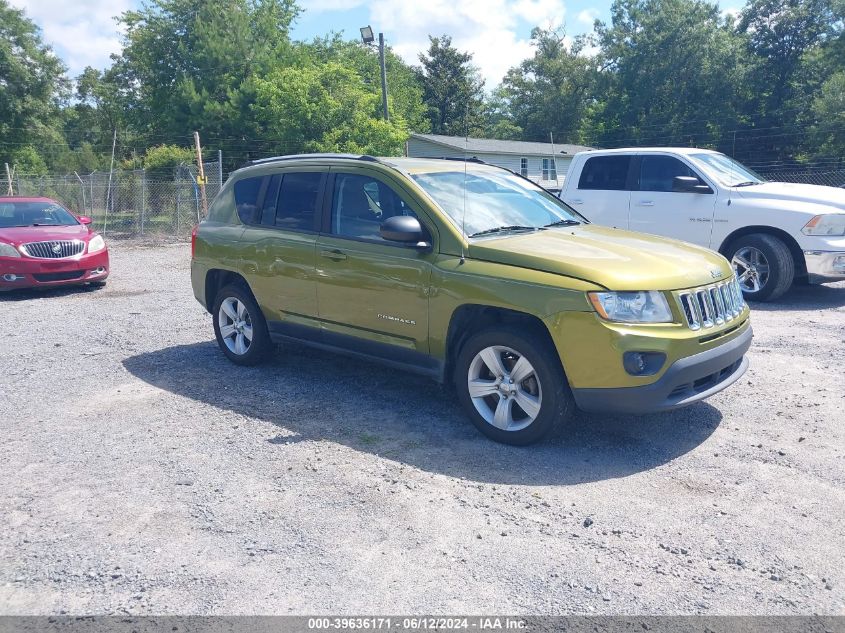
column 27, row 272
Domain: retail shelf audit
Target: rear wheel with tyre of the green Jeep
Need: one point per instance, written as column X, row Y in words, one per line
column 239, row 326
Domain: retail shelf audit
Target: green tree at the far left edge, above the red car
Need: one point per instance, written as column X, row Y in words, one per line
column 32, row 87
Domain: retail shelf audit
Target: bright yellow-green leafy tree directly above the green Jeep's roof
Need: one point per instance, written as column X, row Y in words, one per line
column 325, row 108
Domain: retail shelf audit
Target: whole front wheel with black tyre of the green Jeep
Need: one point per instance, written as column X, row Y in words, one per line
column 512, row 386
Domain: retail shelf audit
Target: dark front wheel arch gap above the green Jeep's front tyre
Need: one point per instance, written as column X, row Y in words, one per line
column 468, row 319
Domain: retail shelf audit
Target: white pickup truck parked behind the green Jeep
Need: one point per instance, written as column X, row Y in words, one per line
column 773, row 233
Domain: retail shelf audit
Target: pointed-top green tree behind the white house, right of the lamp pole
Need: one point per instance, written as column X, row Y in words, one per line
column 551, row 91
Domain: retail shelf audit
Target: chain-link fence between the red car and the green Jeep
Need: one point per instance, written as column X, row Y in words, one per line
column 129, row 203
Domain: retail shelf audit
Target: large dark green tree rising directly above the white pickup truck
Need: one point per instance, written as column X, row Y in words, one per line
column 672, row 73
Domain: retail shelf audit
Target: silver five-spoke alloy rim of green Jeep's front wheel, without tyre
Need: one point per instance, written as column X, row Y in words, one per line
column 504, row 388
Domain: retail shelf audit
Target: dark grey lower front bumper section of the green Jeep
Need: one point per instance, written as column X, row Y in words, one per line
column 686, row 381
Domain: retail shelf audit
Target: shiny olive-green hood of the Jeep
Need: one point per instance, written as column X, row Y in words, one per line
column 613, row 258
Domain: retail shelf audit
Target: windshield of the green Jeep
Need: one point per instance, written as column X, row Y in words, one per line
column 494, row 199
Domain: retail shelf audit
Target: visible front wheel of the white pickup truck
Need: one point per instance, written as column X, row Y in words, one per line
column 763, row 265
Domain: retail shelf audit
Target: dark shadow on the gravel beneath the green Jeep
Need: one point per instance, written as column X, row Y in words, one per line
column 314, row 395
